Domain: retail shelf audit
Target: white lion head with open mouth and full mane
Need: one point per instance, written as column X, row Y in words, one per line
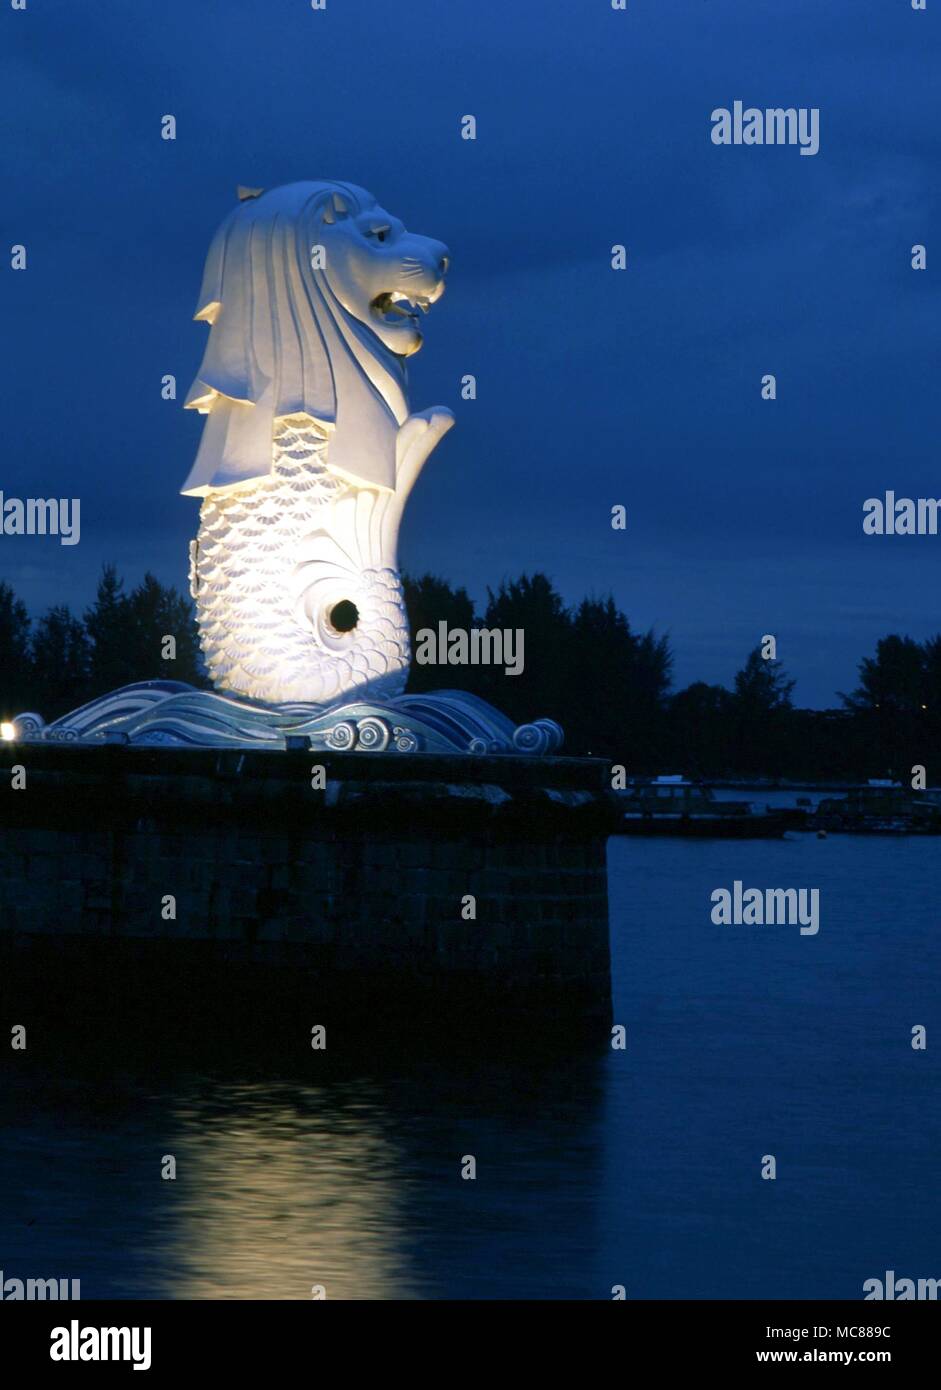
column 315, row 297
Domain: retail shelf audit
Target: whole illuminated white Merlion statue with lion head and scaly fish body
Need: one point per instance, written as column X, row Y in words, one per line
column 313, row 295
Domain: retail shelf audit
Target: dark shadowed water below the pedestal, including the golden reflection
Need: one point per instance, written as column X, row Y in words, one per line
column 351, row 1181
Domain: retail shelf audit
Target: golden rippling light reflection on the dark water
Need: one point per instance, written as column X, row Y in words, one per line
column 281, row 1191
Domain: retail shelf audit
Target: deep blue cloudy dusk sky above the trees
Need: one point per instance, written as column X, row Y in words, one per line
column 594, row 387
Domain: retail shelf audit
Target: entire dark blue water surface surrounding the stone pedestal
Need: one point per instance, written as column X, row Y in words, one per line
column 639, row 1168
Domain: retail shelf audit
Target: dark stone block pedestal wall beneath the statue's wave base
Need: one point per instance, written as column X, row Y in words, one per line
column 220, row 886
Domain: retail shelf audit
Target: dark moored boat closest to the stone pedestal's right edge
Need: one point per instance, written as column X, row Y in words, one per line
column 678, row 807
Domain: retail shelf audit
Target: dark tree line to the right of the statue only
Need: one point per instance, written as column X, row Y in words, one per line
column 612, row 692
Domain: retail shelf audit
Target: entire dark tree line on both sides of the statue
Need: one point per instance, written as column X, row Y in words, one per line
column 609, row 686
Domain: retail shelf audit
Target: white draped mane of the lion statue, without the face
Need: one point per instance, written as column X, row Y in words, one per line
column 281, row 344
